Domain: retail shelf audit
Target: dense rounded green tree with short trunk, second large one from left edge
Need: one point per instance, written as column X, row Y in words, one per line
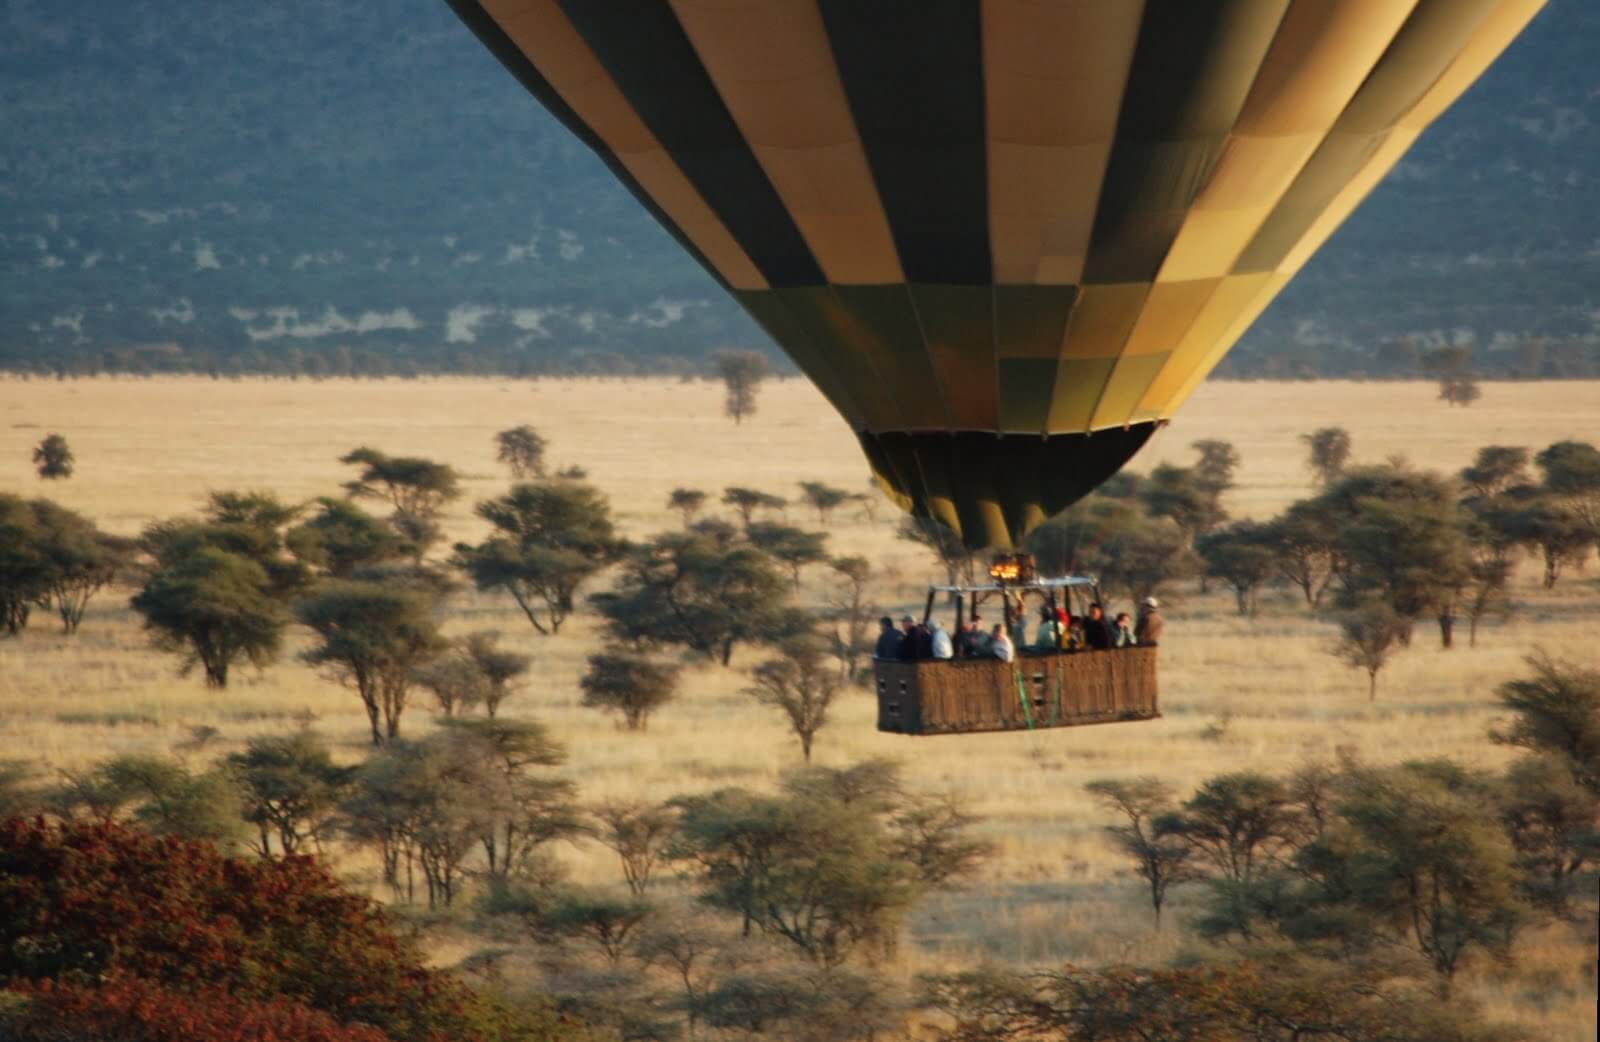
column 215, row 609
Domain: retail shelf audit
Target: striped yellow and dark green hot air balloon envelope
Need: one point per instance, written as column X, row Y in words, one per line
column 1004, row 238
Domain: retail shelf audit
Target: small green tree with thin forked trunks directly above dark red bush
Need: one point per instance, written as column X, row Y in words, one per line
column 290, row 790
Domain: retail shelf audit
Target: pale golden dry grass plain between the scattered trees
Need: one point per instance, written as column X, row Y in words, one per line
column 153, row 449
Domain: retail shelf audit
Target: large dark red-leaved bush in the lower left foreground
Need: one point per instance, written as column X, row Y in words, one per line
column 98, row 905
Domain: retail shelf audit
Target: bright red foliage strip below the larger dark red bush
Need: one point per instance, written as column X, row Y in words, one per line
column 143, row 1012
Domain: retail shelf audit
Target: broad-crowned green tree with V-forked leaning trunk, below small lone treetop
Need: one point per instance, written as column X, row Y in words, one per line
column 548, row 540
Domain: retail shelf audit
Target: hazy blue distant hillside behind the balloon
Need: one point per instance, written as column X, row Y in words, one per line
column 340, row 186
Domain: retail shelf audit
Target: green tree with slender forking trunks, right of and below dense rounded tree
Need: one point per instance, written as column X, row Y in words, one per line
column 374, row 636
